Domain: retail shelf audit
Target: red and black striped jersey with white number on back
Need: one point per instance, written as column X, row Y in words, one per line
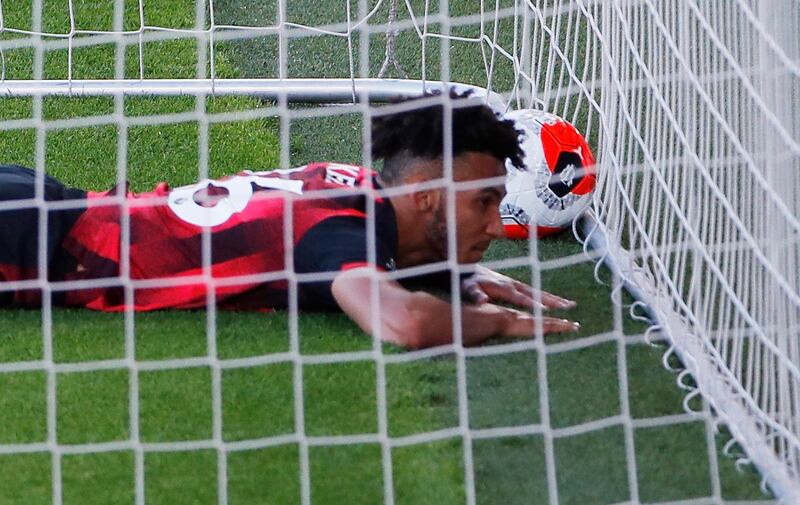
column 261, row 228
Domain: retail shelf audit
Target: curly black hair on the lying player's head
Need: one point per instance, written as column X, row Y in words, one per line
column 417, row 134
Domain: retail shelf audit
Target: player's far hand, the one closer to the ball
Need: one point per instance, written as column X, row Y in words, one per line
column 489, row 286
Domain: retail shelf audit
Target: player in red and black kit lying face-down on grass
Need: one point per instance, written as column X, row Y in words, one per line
column 245, row 218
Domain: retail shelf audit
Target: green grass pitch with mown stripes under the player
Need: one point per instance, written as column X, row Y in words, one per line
column 258, row 402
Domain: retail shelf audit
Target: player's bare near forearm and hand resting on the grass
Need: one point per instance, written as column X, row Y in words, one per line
column 416, row 319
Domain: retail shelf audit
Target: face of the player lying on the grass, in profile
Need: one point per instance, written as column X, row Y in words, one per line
column 477, row 209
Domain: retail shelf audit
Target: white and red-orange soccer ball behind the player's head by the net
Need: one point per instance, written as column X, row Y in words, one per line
column 559, row 181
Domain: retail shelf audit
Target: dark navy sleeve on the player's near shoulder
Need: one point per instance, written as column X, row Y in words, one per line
column 334, row 245
